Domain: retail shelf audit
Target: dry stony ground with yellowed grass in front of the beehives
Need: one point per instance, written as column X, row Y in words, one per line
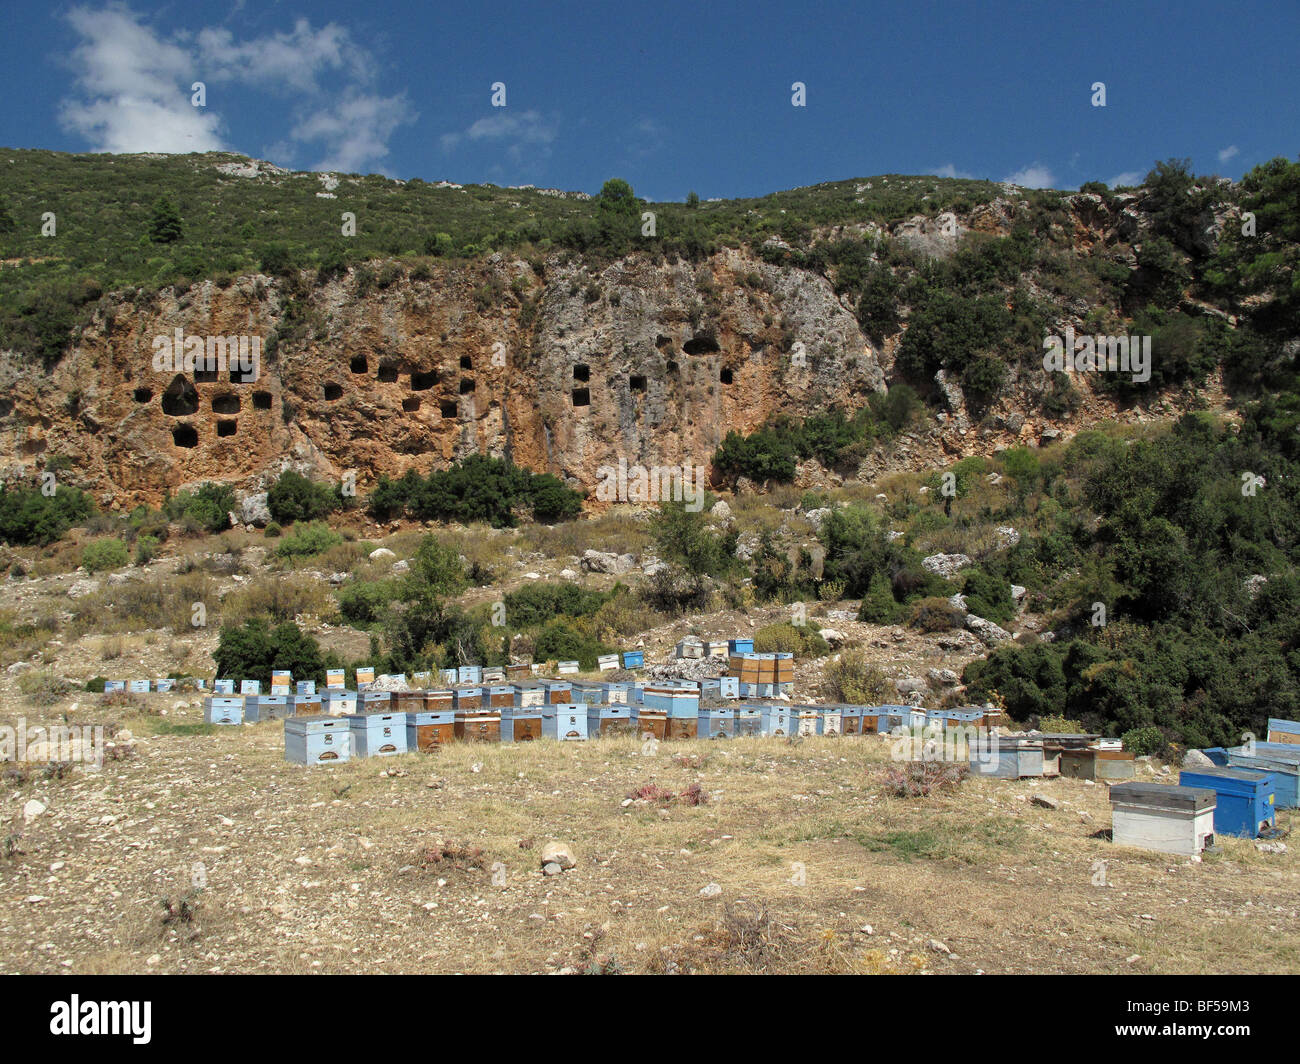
column 322, row 870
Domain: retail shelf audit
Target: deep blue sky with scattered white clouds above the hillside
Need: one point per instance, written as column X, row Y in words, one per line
column 673, row 97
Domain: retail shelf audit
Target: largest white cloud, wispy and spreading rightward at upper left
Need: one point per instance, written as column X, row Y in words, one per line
column 133, row 88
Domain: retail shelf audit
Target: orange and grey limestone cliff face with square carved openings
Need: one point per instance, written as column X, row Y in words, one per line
column 566, row 369
